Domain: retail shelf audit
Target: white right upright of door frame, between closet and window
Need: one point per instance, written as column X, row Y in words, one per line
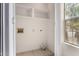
column 59, row 28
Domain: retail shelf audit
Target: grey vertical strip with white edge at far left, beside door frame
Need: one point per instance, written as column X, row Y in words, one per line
column 5, row 28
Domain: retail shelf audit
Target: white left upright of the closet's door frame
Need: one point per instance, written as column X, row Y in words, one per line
column 12, row 30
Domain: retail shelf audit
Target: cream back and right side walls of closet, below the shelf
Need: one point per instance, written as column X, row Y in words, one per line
column 32, row 38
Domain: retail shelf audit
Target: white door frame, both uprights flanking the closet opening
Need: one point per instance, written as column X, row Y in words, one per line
column 58, row 33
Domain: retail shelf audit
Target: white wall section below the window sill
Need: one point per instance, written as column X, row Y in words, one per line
column 70, row 50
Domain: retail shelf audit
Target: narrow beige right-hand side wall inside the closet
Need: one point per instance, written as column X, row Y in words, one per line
column 51, row 29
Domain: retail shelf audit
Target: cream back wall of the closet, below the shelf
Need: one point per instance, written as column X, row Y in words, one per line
column 32, row 37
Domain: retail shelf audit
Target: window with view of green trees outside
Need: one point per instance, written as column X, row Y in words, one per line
column 72, row 23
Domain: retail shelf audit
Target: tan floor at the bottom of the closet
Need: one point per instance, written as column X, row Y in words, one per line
column 38, row 52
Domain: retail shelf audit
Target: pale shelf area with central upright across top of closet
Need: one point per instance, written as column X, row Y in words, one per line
column 35, row 10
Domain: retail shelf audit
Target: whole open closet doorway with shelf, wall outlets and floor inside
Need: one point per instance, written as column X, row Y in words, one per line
column 34, row 27
